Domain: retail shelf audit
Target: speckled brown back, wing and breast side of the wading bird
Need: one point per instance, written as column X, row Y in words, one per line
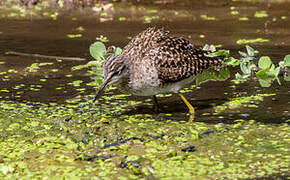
column 160, row 59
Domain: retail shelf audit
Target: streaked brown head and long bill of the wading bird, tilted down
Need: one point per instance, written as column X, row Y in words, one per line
column 115, row 69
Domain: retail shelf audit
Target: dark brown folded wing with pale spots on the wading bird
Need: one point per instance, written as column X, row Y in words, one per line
column 177, row 59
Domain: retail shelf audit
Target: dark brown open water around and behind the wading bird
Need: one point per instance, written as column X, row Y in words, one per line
column 46, row 36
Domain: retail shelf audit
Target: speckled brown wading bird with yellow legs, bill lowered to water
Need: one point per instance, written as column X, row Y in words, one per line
column 155, row 62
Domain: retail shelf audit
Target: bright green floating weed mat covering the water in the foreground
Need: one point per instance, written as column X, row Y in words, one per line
column 50, row 140
